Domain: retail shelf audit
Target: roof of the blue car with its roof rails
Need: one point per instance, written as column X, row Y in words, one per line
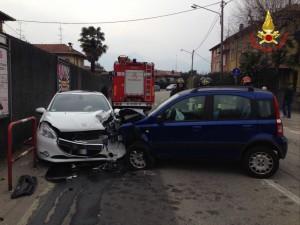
column 229, row 89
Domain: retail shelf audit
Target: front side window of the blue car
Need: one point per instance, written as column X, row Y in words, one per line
column 190, row 109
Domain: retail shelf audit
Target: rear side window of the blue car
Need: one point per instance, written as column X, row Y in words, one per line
column 229, row 107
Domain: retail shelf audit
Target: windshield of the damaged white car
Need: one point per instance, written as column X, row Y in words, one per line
column 79, row 103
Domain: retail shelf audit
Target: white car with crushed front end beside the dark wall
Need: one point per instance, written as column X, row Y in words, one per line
column 78, row 126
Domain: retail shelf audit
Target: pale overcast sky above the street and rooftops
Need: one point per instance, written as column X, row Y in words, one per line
column 157, row 40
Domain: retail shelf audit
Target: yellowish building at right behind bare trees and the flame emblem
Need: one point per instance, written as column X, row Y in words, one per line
column 287, row 21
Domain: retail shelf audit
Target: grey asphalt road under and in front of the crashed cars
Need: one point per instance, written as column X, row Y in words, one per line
column 177, row 193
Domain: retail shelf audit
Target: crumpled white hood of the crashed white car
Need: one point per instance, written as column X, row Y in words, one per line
column 76, row 121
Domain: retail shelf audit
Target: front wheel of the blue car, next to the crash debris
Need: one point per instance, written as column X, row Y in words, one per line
column 138, row 157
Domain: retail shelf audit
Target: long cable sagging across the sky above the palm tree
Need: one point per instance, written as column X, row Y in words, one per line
column 117, row 21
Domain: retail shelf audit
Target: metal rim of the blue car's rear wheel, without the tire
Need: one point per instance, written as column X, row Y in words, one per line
column 261, row 163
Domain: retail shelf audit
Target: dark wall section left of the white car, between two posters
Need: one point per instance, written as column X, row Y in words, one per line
column 33, row 76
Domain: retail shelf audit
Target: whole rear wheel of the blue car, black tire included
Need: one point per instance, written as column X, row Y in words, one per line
column 260, row 162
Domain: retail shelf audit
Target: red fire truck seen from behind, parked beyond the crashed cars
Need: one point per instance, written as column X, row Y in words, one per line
column 133, row 84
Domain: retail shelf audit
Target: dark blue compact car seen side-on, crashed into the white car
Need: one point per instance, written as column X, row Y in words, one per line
column 238, row 123
